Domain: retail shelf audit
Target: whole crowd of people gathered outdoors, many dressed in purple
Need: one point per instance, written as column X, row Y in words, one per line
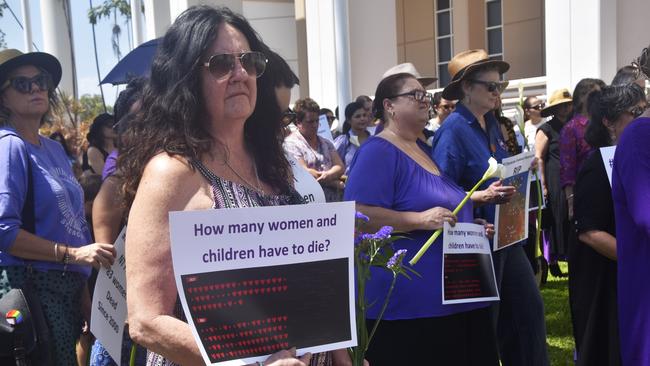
column 211, row 128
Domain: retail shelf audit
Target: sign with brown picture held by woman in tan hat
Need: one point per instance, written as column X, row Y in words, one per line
column 511, row 219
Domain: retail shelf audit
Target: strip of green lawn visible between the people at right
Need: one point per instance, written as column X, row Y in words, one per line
column 558, row 320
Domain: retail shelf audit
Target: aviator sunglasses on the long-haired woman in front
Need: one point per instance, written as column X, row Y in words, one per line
column 223, row 64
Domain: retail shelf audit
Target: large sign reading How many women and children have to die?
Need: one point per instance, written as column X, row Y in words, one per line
column 254, row 281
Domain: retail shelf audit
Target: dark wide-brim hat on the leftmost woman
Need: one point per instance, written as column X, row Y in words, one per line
column 13, row 58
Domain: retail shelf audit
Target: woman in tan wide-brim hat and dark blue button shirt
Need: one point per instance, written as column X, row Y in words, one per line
column 462, row 147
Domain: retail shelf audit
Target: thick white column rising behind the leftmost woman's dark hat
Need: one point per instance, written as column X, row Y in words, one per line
column 56, row 25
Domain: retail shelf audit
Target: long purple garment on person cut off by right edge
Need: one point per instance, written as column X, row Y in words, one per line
column 631, row 193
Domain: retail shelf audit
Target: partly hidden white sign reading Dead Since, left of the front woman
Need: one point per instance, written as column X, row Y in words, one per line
column 108, row 314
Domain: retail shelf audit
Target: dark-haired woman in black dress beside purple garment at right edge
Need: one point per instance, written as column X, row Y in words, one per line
column 593, row 279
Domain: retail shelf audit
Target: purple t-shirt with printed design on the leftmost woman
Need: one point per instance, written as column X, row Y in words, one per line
column 58, row 198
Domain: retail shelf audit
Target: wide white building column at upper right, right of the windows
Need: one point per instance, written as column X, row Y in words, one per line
column 580, row 41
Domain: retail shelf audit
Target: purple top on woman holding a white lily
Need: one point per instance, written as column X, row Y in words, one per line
column 383, row 176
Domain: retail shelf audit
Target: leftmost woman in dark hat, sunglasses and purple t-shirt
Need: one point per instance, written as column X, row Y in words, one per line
column 44, row 235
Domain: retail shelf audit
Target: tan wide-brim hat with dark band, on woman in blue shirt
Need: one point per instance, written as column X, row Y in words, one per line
column 462, row 64
